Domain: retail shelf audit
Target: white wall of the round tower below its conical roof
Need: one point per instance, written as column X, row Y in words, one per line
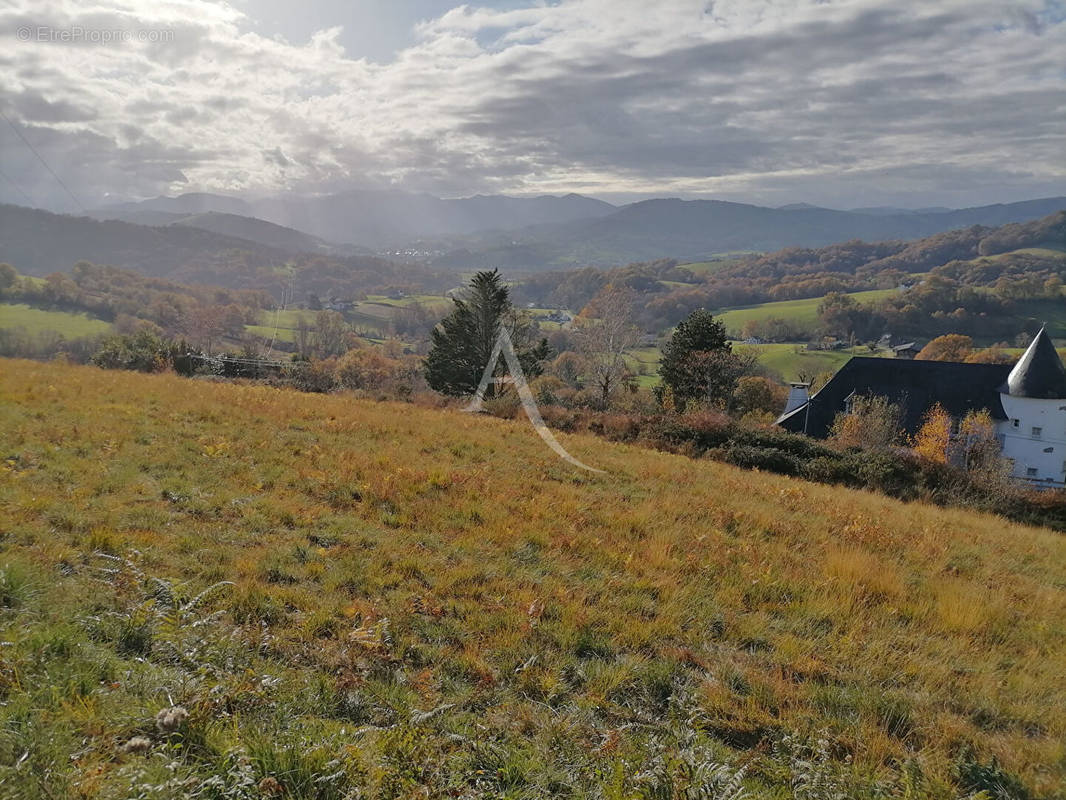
column 1027, row 451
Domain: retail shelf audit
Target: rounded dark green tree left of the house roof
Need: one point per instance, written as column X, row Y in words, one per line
column 699, row 362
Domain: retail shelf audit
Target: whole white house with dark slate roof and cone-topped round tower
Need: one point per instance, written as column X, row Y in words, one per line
column 1028, row 403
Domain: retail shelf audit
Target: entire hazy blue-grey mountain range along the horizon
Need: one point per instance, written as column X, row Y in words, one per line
column 547, row 232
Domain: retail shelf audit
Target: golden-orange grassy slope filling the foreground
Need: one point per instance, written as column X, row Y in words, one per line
column 428, row 599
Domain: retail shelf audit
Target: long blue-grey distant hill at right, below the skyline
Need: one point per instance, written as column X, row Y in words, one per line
column 698, row 230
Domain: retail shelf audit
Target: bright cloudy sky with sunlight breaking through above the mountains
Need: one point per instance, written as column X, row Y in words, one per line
column 841, row 103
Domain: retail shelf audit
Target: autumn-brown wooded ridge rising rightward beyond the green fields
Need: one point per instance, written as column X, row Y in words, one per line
column 979, row 270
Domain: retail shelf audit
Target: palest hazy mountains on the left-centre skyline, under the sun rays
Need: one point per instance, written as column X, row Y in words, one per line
column 379, row 219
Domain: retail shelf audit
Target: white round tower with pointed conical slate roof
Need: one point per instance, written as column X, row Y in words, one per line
column 1035, row 403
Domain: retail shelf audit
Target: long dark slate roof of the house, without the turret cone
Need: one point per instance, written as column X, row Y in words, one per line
column 916, row 387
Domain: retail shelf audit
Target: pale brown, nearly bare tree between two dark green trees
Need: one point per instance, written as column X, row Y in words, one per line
column 605, row 332
